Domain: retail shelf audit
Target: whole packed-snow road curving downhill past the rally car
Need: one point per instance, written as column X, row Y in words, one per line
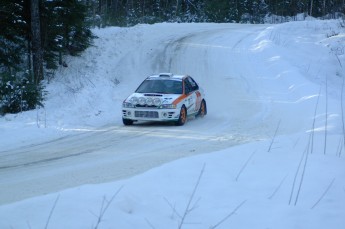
column 238, row 113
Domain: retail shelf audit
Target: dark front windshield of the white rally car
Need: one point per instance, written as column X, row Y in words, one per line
column 160, row 86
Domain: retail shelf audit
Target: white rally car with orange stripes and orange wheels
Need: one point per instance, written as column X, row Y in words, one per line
column 165, row 97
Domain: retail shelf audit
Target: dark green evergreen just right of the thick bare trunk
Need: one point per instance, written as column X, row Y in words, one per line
column 66, row 30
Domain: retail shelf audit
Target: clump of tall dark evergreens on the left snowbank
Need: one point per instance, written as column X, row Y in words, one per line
column 28, row 46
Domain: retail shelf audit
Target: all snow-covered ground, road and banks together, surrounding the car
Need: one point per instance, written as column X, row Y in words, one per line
column 269, row 154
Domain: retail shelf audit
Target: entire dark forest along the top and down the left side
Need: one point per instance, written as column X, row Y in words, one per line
column 37, row 35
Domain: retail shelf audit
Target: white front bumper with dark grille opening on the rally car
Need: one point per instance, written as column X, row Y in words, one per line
column 144, row 114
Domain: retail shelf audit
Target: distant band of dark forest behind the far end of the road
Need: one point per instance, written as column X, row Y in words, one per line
column 130, row 12
